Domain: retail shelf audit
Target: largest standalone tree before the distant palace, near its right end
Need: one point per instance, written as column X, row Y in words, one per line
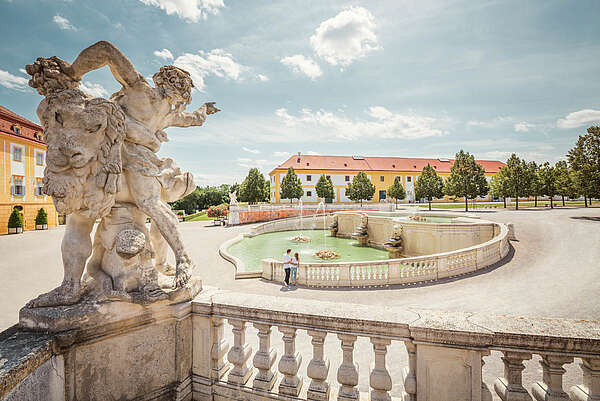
column 467, row 178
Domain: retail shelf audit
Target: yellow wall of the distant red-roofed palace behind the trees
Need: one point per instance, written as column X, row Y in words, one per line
column 388, row 180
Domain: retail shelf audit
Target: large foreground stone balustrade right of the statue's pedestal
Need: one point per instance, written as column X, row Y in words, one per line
column 254, row 347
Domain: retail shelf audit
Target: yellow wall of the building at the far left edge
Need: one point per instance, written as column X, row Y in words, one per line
column 30, row 203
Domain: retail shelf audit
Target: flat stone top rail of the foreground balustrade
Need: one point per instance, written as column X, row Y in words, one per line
column 454, row 329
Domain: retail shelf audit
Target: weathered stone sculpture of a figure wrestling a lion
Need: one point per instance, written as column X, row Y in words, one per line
column 102, row 164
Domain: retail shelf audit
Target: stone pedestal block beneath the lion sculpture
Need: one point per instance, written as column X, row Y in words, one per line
column 119, row 350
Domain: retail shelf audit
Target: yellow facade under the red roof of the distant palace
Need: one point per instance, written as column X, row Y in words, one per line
column 381, row 179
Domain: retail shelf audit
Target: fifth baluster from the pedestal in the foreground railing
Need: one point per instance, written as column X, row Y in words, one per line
column 318, row 368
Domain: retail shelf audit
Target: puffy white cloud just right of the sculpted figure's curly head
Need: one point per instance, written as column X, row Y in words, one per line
column 216, row 62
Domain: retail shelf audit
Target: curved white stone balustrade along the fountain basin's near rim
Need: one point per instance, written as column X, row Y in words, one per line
column 396, row 271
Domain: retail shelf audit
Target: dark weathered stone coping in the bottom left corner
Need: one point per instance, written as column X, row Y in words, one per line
column 21, row 353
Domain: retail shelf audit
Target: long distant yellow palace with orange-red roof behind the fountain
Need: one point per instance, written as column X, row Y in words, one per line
column 381, row 170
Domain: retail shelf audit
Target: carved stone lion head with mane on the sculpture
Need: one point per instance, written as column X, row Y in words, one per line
column 84, row 136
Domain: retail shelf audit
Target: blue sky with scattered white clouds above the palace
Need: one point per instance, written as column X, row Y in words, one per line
column 398, row 78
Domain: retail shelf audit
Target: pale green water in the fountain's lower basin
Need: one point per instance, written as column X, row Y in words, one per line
column 273, row 245
